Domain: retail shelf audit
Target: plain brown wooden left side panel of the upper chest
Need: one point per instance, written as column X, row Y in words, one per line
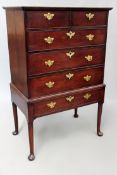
column 17, row 49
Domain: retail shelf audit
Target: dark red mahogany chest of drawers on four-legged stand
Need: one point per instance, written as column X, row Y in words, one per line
column 57, row 58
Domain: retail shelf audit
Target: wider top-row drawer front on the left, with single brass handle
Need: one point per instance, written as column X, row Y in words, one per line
column 49, row 19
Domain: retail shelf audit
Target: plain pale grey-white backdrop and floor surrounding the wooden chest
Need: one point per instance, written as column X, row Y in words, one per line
column 94, row 161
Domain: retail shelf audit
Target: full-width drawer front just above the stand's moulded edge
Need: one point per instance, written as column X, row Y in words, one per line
column 64, row 81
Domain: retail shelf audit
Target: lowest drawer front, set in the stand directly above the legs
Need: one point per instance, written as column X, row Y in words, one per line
column 69, row 101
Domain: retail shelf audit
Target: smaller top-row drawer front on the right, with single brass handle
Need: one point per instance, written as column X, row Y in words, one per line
column 89, row 18
